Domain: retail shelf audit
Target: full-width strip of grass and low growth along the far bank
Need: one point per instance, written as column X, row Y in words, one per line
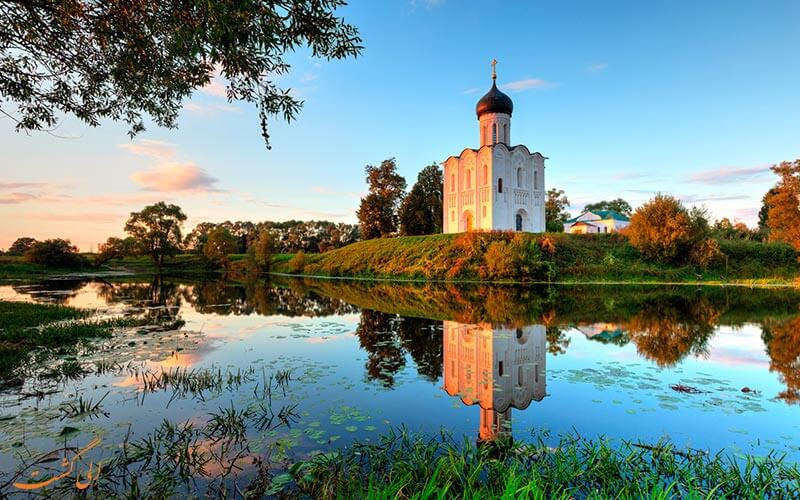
column 489, row 257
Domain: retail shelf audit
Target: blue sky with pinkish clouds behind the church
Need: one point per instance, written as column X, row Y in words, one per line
column 627, row 99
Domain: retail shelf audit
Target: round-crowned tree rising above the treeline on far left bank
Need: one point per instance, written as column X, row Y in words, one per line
column 156, row 229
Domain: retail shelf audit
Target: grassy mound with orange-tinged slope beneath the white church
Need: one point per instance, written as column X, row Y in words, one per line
column 528, row 258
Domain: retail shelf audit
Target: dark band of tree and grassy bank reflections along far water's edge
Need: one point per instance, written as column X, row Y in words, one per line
column 398, row 320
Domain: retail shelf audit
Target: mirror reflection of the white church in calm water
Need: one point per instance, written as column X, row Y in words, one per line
column 496, row 369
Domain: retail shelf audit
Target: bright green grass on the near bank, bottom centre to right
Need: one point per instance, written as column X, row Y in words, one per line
column 400, row 465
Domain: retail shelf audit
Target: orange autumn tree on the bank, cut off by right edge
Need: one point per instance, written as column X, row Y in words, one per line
column 783, row 204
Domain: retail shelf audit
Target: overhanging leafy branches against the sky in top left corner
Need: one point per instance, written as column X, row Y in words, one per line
column 132, row 60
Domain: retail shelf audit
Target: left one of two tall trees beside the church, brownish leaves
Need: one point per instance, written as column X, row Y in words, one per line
column 378, row 212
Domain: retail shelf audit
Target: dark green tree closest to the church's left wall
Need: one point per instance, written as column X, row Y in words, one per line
column 421, row 211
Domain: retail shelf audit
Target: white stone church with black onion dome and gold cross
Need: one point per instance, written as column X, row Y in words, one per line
column 497, row 186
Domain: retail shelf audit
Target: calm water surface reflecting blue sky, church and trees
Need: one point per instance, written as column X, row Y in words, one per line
column 479, row 362
